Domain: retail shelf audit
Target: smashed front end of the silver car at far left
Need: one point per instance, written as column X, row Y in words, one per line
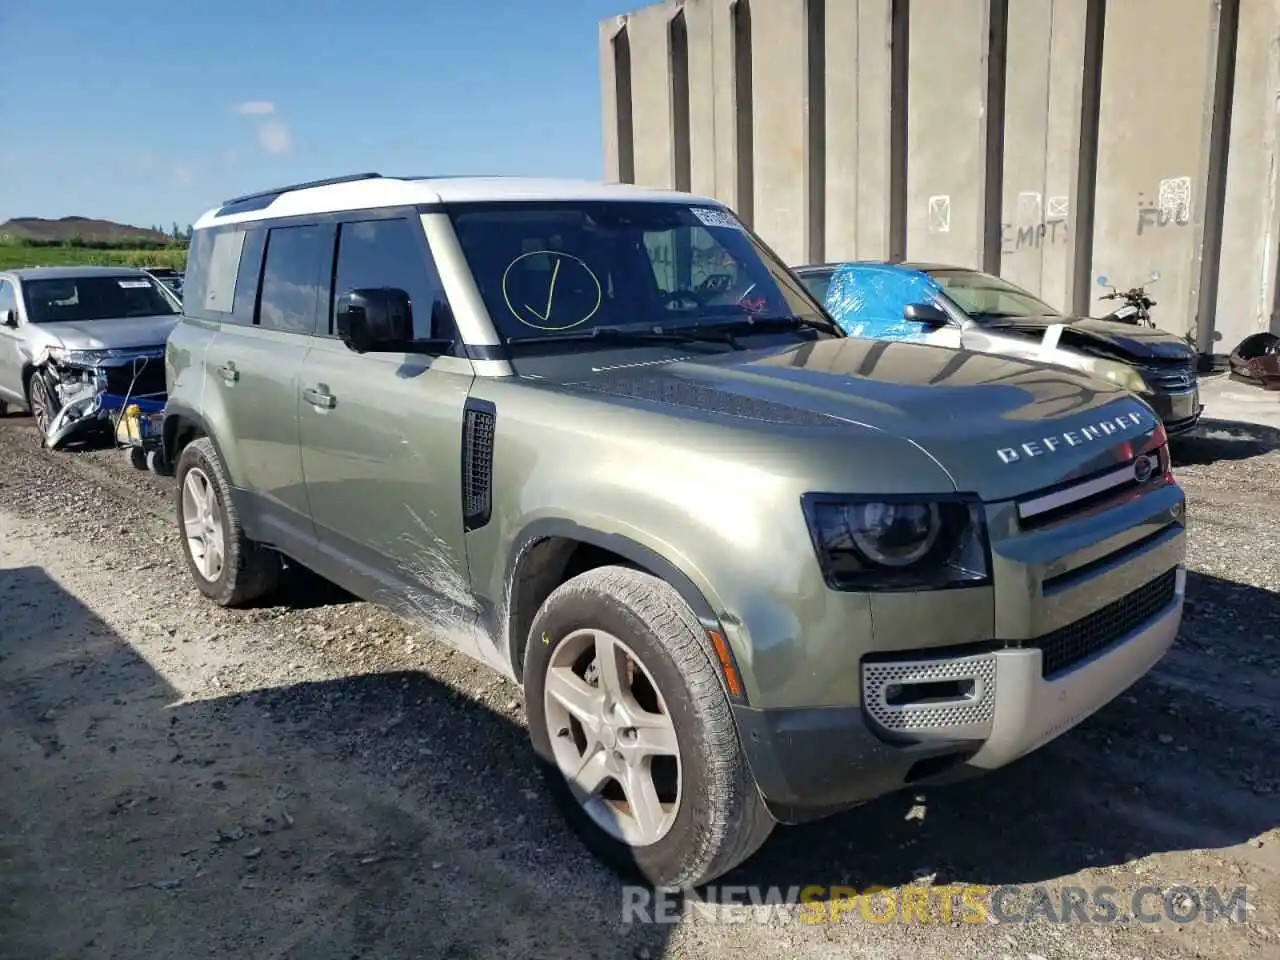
column 89, row 390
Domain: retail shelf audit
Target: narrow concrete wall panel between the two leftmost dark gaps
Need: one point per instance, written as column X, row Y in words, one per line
column 653, row 122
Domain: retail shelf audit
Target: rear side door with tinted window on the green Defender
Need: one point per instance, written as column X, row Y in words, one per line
column 253, row 371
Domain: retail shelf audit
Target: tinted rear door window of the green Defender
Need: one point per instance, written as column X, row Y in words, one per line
column 296, row 258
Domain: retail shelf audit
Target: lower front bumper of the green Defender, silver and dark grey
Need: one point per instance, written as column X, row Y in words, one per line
column 811, row 764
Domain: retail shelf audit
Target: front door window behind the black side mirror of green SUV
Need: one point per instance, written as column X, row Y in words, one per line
column 392, row 253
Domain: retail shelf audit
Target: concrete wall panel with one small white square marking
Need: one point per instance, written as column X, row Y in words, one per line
column 947, row 143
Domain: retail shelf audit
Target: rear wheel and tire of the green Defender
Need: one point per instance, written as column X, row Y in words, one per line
column 227, row 566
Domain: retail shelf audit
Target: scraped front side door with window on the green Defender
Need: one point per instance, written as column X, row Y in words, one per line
column 382, row 440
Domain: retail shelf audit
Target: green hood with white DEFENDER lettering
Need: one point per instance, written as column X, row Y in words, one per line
column 999, row 427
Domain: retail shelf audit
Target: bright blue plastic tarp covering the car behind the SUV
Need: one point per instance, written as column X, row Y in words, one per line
column 867, row 300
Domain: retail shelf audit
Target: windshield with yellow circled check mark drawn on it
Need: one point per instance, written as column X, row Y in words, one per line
column 570, row 267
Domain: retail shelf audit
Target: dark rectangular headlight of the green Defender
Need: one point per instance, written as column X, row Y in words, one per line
column 898, row 543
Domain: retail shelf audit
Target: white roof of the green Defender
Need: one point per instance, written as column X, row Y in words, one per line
column 373, row 191
